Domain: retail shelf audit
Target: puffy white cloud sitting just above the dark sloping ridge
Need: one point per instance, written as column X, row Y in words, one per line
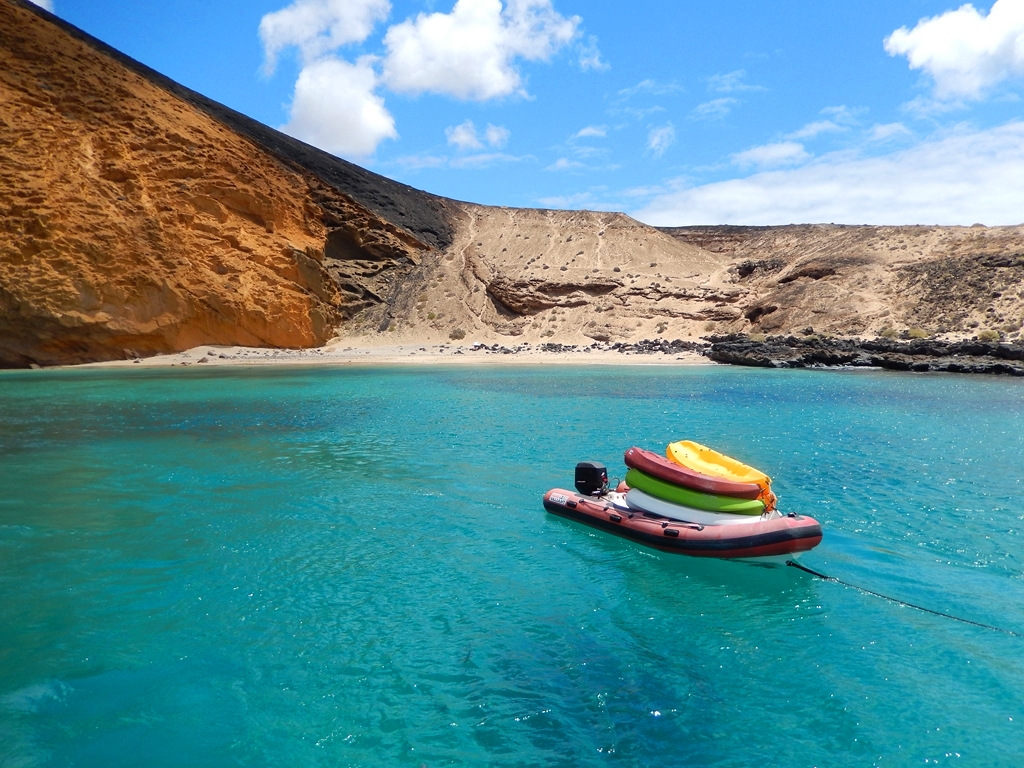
column 335, row 109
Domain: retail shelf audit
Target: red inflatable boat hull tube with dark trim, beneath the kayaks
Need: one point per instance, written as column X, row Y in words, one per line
column 775, row 538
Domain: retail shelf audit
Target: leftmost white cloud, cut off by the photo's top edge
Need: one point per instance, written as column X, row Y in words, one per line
column 319, row 27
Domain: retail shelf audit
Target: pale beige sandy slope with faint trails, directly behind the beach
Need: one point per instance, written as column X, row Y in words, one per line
column 574, row 277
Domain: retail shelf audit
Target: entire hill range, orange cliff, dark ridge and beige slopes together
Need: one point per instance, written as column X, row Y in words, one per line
column 142, row 218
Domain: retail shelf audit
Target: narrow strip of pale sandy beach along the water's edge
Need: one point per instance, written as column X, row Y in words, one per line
column 346, row 353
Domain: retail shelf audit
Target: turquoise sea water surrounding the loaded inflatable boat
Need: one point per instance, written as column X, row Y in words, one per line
column 353, row 568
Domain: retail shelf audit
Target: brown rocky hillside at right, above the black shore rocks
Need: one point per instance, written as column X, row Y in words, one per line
column 866, row 281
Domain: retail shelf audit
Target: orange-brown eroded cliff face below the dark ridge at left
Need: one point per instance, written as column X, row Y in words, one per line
column 134, row 224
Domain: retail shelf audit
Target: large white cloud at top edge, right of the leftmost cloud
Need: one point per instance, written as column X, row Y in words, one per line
column 471, row 54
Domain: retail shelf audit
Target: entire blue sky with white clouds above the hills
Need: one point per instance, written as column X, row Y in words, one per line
column 719, row 112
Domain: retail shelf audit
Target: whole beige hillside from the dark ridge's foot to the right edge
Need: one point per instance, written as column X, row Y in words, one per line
column 576, row 277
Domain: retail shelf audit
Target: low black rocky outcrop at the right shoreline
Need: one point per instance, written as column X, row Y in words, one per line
column 920, row 356
